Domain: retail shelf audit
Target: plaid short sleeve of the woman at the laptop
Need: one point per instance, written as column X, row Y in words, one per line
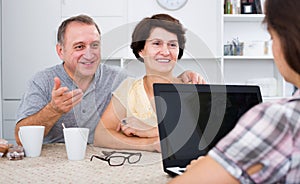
column 262, row 136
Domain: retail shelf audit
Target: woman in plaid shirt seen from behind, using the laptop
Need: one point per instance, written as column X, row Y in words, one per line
column 264, row 147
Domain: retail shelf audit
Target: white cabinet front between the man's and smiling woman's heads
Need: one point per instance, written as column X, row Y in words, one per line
column 111, row 17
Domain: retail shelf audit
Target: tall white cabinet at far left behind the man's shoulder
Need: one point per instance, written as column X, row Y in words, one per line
column 28, row 45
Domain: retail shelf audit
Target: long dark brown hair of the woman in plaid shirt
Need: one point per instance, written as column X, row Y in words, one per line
column 283, row 17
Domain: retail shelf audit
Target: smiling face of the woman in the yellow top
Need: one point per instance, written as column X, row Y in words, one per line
column 160, row 52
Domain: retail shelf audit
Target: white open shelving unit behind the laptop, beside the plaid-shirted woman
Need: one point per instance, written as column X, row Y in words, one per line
column 256, row 65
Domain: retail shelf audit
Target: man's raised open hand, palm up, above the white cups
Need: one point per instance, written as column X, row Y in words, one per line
column 64, row 100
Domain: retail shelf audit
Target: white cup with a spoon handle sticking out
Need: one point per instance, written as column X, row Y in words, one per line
column 76, row 141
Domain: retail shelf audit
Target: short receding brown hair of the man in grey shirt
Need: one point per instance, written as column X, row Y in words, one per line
column 79, row 18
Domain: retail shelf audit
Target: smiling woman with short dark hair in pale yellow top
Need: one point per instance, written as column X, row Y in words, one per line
column 158, row 42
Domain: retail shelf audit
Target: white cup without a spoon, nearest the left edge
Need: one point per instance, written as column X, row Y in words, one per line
column 31, row 138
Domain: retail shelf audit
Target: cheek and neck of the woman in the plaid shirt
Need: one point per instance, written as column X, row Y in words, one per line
column 285, row 70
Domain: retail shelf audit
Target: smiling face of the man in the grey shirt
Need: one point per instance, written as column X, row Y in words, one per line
column 80, row 51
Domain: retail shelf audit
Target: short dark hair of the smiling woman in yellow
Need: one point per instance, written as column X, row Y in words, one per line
column 143, row 30
